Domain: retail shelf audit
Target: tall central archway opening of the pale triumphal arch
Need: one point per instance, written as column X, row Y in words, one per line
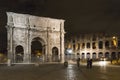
column 37, row 50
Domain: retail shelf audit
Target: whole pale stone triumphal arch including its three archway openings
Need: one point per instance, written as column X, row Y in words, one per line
column 32, row 37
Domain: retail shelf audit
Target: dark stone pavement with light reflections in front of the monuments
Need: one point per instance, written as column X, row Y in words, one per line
column 58, row 72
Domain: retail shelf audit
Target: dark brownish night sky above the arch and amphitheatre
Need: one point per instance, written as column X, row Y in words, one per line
column 82, row 16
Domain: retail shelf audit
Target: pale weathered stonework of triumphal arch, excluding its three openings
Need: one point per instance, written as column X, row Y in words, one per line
column 23, row 29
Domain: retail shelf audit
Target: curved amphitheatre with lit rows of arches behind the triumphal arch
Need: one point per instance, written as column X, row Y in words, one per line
column 94, row 46
